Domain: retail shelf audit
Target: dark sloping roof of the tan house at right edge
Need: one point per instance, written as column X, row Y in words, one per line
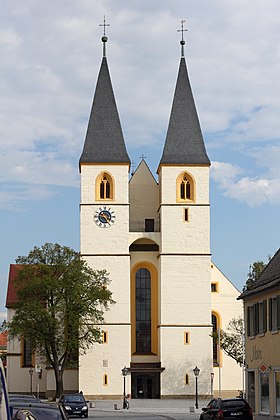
column 268, row 279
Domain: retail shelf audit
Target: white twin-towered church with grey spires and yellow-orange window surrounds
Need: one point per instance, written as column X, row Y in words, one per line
column 153, row 237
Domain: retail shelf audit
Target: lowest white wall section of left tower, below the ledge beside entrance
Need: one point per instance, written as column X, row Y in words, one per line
column 106, row 359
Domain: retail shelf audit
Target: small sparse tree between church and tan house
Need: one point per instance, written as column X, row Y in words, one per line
column 231, row 341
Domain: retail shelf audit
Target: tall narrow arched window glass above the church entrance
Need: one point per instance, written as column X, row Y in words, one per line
column 143, row 310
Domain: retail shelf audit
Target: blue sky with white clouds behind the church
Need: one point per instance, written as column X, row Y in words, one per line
column 51, row 53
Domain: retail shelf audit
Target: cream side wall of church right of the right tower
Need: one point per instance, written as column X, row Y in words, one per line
column 228, row 307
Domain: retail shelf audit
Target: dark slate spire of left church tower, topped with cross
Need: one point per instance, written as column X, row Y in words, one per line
column 104, row 142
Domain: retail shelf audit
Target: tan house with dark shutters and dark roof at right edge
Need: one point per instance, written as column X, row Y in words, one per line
column 262, row 325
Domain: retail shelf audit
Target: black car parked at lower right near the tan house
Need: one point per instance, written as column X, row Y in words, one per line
column 234, row 408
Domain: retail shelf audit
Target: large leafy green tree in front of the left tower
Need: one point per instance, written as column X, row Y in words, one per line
column 60, row 308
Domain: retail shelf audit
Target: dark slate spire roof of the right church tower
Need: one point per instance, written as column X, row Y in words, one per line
column 184, row 143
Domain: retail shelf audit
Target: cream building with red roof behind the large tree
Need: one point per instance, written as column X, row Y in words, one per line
column 25, row 372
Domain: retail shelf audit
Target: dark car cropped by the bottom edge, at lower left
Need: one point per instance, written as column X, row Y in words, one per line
column 40, row 411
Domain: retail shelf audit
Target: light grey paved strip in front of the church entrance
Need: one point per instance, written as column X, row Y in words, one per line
column 178, row 406
